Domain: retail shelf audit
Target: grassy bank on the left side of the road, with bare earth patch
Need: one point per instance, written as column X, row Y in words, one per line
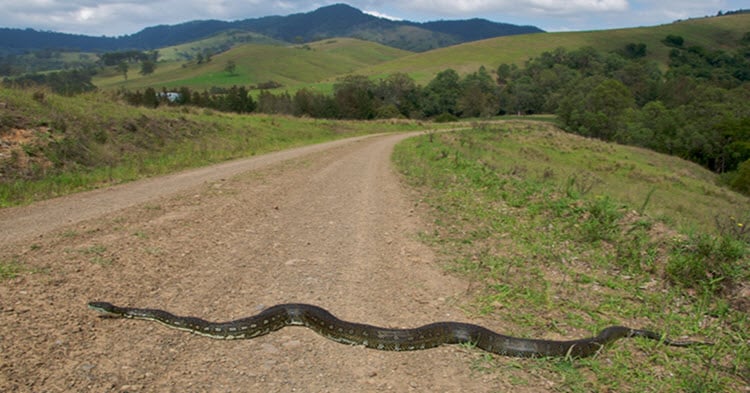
column 68, row 144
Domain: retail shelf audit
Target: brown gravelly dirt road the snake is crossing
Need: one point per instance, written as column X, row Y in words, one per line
column 330, row 225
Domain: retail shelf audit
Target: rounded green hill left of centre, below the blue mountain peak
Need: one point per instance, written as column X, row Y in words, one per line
column 291, row 66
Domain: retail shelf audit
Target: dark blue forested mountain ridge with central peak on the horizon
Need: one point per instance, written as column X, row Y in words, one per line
column 338, row 20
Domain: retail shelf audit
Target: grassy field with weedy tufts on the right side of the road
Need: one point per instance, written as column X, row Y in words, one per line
column 562, row 236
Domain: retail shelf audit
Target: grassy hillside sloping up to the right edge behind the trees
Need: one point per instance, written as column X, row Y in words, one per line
column 716, row 32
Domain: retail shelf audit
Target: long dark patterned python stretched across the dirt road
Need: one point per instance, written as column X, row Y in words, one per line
column 427, row 336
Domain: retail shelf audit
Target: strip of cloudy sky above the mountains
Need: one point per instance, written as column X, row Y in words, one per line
column 120, row 17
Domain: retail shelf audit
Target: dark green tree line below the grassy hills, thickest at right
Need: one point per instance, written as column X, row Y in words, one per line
column 695, row 109
